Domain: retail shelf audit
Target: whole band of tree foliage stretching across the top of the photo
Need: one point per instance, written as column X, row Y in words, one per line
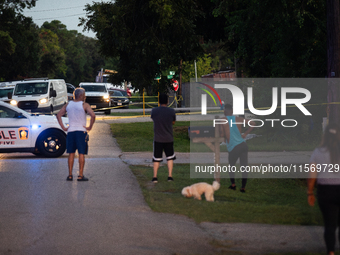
column 284, row 38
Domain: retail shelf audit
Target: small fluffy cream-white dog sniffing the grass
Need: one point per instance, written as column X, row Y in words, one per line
column 197, row 189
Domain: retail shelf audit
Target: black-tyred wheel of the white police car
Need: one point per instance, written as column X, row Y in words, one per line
column 52, row 143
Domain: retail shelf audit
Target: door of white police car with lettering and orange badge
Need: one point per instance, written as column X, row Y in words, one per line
column 14, row 129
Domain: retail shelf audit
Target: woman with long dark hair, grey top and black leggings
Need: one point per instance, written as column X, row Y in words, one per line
column 324, row 171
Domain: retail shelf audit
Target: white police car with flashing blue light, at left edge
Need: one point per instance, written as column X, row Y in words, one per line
column 21, row 131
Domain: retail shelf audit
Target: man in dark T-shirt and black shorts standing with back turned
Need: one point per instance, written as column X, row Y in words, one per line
column 163, row 118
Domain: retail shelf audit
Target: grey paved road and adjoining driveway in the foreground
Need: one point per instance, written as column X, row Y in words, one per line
column 42, row 213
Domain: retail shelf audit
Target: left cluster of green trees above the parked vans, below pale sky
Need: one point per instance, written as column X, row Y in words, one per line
column 50, row 51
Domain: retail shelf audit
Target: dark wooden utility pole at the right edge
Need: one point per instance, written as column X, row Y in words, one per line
column 333, row 60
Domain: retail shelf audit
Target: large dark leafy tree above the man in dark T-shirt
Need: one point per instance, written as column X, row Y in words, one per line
column 142, row 32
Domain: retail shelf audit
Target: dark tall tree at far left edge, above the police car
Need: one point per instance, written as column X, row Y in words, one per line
column 19, row 50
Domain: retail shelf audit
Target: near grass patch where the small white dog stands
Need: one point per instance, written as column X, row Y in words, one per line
column 272, row 201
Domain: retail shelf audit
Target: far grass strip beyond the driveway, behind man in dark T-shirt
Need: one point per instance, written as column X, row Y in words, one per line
column 134, row 137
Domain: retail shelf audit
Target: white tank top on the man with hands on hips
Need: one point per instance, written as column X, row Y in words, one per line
column 76, row 115
